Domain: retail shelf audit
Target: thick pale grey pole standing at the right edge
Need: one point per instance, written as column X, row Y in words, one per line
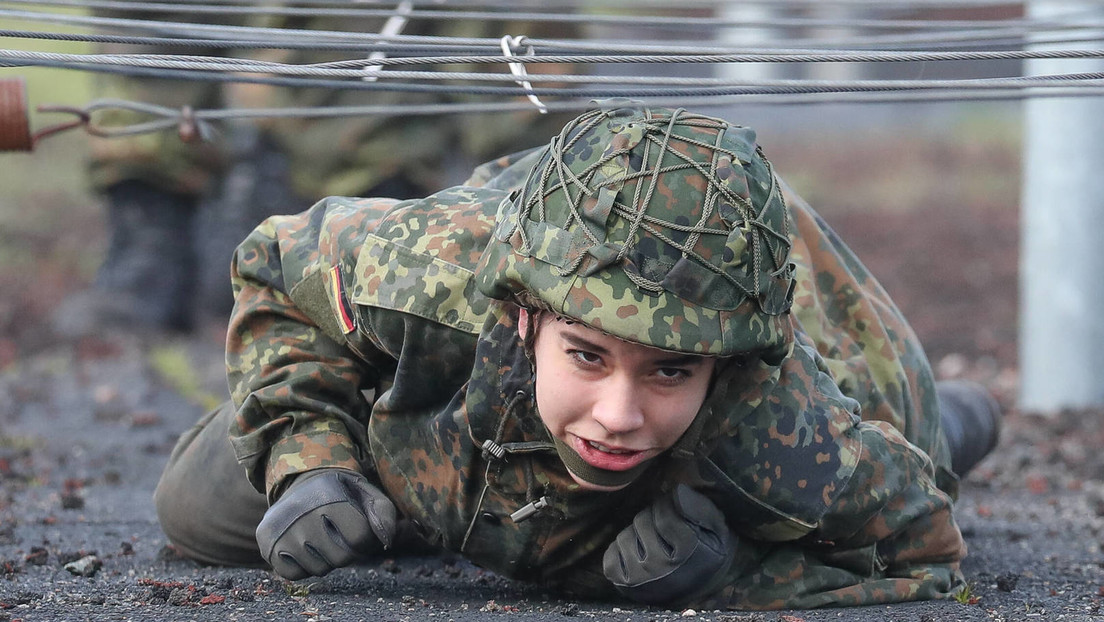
column 1061, row 343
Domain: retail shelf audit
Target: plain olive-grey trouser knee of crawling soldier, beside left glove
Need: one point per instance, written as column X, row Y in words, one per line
column 207, row 507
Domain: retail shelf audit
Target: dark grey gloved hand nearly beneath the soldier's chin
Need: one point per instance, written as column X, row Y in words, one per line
column 674, row 551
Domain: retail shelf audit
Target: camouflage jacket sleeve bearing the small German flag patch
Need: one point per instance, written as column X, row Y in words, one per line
column 298, row 388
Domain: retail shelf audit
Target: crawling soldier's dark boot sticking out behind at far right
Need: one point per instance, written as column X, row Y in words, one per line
column 971, row 419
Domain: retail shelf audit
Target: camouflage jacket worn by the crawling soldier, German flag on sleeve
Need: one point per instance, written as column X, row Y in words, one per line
column 359, row 342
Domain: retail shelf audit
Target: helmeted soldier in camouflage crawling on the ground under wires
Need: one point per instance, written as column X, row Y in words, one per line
column 630, row 365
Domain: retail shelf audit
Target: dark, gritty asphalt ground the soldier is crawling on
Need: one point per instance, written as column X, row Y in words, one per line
column 87, row 427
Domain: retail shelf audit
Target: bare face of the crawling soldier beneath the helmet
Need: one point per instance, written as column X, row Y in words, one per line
column 614, row 403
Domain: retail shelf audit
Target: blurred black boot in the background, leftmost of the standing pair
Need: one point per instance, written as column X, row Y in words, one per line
column 147, row 277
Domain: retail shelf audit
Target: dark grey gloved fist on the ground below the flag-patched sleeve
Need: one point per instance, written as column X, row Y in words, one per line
column 325, row 520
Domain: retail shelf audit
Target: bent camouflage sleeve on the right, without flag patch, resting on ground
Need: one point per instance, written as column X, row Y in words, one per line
column 853, row 516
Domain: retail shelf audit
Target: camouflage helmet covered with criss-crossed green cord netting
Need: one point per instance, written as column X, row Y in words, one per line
column 660, row 227
